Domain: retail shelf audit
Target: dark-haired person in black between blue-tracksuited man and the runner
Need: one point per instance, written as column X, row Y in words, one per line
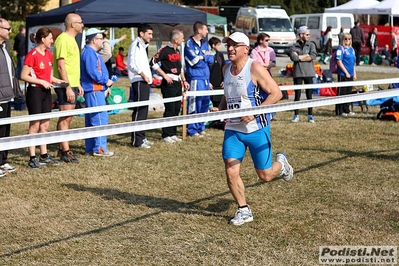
column 216, row 75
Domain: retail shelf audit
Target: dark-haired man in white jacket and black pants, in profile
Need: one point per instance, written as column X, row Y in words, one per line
column 141, row 78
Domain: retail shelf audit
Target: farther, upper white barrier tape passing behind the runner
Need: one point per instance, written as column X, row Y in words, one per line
column 36, row 117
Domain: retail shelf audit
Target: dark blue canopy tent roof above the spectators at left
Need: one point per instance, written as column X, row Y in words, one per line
column 119, row 13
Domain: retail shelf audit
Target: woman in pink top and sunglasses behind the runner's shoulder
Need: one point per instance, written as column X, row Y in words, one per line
column 263, row 53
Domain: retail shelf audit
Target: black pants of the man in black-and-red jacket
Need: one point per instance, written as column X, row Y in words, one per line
column 172, row 108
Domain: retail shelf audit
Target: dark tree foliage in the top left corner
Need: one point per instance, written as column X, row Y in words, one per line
column 19, row 9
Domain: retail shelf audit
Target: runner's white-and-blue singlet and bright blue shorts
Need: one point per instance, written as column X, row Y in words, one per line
column 241, row 92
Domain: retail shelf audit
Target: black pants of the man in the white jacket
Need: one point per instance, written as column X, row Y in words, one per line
column 141, row 92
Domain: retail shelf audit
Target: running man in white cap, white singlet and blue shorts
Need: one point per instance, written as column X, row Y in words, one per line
column 248, row 85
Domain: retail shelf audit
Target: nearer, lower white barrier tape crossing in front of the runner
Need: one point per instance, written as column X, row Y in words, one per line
column 89, row 132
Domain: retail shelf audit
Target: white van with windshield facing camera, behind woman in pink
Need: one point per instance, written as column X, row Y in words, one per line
column 271, row 20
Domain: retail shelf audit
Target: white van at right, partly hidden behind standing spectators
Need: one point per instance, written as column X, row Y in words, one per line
column 318, row 23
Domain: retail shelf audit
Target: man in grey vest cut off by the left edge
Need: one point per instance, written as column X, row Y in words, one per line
column 8, row 86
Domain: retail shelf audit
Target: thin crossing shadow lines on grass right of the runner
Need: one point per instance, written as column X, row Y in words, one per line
column 348, row 154
